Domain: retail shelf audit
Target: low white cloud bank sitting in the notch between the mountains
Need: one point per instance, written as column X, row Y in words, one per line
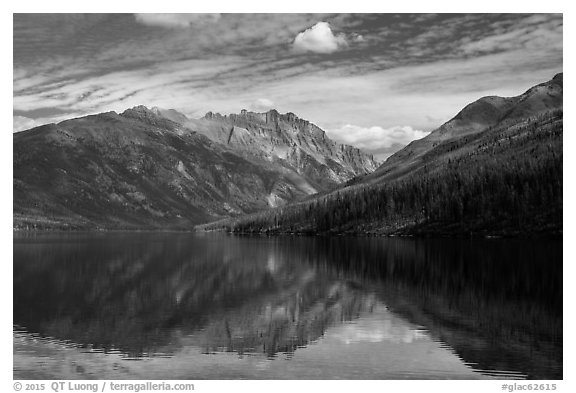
column 379, row 141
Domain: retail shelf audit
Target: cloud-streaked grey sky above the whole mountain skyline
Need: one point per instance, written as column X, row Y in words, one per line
column 376, row 81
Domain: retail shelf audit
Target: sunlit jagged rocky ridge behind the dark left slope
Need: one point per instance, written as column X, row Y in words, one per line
column 284, row 141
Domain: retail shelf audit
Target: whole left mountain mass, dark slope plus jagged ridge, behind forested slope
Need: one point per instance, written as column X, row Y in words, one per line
column 146, row 168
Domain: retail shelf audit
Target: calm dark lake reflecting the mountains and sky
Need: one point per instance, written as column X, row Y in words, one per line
column 214, row 306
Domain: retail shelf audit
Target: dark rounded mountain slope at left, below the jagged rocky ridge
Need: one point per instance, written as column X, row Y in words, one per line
column 125, row 171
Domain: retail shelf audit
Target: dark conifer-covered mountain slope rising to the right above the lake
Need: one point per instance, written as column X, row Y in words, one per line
column 495, row 168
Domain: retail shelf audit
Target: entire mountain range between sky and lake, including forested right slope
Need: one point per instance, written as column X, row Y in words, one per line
column 495, row 168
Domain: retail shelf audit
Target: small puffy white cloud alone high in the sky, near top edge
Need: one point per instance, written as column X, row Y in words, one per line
column 319, row 39
